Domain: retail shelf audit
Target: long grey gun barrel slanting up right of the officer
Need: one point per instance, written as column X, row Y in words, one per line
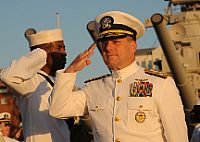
column 176, row 67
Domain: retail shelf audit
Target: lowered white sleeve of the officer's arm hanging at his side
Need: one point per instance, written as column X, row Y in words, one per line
column 172, row 113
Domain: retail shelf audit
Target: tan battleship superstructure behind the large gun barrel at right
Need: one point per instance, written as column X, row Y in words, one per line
column 184, row 30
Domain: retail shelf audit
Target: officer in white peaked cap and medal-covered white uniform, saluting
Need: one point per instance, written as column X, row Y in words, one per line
column 131, row 104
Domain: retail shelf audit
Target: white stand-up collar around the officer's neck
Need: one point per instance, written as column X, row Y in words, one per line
column 125, row 72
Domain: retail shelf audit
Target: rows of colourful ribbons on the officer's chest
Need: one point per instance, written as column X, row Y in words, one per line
column 141, row 88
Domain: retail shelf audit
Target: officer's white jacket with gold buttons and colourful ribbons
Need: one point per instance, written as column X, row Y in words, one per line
column 120, row 112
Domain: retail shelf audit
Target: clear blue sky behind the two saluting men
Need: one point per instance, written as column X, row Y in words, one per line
column 18, row 15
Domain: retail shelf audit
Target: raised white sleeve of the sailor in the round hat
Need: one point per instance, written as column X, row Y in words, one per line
column 19, row 73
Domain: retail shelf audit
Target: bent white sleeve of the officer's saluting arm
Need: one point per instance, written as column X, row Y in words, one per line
column 65, row 102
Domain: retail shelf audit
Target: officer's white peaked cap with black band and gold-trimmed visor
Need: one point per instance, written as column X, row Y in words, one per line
column 116, row 24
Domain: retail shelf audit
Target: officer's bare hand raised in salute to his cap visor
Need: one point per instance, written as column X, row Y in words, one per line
column 81, row 61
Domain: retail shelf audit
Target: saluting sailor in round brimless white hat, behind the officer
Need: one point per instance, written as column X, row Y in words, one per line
column 31, row 77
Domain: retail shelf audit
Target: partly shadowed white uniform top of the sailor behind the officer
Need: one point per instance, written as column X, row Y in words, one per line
column 33, row 94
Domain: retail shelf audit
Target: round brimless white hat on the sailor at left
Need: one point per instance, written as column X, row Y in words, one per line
column 43, row 37
